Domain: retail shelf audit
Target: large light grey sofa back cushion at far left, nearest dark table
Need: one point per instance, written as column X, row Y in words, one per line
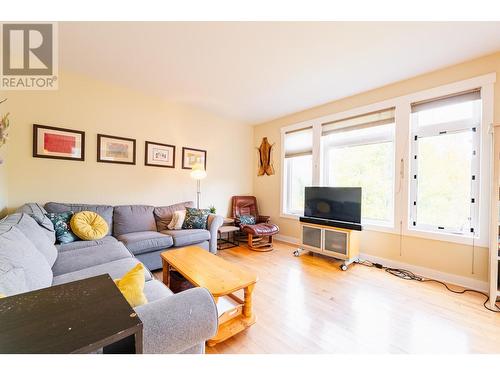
column 18, row 252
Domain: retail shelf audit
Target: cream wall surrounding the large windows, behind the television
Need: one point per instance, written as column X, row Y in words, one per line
column 445, row 257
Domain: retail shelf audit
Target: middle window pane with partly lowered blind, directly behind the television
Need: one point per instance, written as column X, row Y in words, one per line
column 359, row 151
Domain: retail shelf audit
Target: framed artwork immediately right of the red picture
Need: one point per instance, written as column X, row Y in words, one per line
column 111, row 149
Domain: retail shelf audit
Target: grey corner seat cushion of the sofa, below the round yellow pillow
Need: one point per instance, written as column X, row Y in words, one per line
column 74, row 260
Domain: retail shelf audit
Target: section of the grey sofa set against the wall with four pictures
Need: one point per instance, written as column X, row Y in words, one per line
column 143, row 229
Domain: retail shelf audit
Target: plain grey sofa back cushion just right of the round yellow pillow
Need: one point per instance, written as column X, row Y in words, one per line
column 133, row 218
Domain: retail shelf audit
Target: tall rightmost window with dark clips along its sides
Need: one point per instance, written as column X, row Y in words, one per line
column 445, row 165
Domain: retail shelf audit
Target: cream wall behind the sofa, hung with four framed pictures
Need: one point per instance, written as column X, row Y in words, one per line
column 97, row 107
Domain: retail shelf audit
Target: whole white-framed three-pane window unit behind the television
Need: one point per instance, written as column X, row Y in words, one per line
column 421, row 159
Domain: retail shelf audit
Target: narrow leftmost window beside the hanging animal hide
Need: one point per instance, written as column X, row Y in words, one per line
column 298, row 169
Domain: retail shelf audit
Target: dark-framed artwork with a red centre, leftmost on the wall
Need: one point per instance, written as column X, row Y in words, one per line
column 58, row 143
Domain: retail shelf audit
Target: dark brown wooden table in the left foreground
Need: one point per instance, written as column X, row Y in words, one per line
column 77, row 317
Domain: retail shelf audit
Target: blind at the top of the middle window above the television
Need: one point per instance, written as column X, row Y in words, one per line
column 367, row 120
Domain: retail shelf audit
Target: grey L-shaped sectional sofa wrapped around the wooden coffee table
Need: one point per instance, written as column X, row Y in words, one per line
column 29, row 260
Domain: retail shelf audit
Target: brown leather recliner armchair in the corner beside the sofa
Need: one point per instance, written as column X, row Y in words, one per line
column 258, row 232
